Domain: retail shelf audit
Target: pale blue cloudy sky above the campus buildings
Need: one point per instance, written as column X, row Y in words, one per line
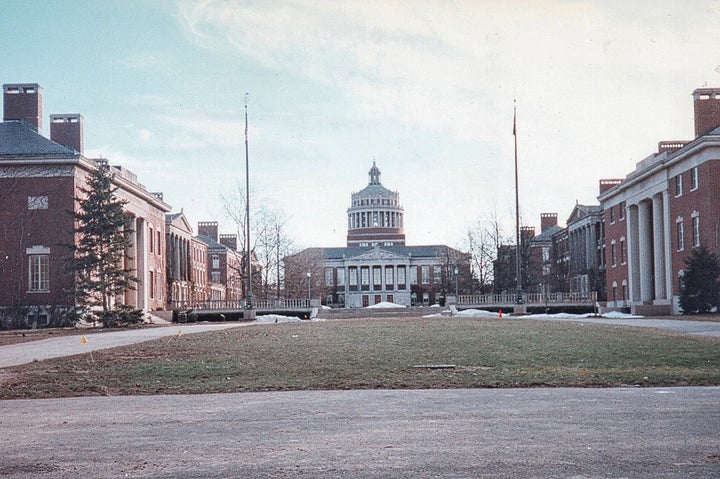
column 425, row 88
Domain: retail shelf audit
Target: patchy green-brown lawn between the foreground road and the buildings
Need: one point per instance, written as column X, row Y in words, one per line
column 375, row 353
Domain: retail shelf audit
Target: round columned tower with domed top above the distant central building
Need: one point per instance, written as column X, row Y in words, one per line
column 375, row 216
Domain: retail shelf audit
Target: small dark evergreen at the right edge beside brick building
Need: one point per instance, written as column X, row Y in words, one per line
column 700, row 286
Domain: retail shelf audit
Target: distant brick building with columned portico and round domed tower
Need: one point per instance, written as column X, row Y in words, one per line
column 377, row 266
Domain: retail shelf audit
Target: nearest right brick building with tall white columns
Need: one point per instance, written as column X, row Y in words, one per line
column 660, row 211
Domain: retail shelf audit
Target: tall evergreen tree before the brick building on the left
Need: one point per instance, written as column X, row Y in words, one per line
column 102, row 232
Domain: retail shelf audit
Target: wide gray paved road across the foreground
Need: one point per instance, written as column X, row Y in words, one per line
column 528, row 433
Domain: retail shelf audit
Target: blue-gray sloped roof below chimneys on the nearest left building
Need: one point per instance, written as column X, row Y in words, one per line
column 17, row 138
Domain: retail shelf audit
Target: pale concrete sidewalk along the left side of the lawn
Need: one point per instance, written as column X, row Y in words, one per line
column 22, row 353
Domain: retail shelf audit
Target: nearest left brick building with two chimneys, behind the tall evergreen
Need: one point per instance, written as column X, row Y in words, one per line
column 39, row 180
